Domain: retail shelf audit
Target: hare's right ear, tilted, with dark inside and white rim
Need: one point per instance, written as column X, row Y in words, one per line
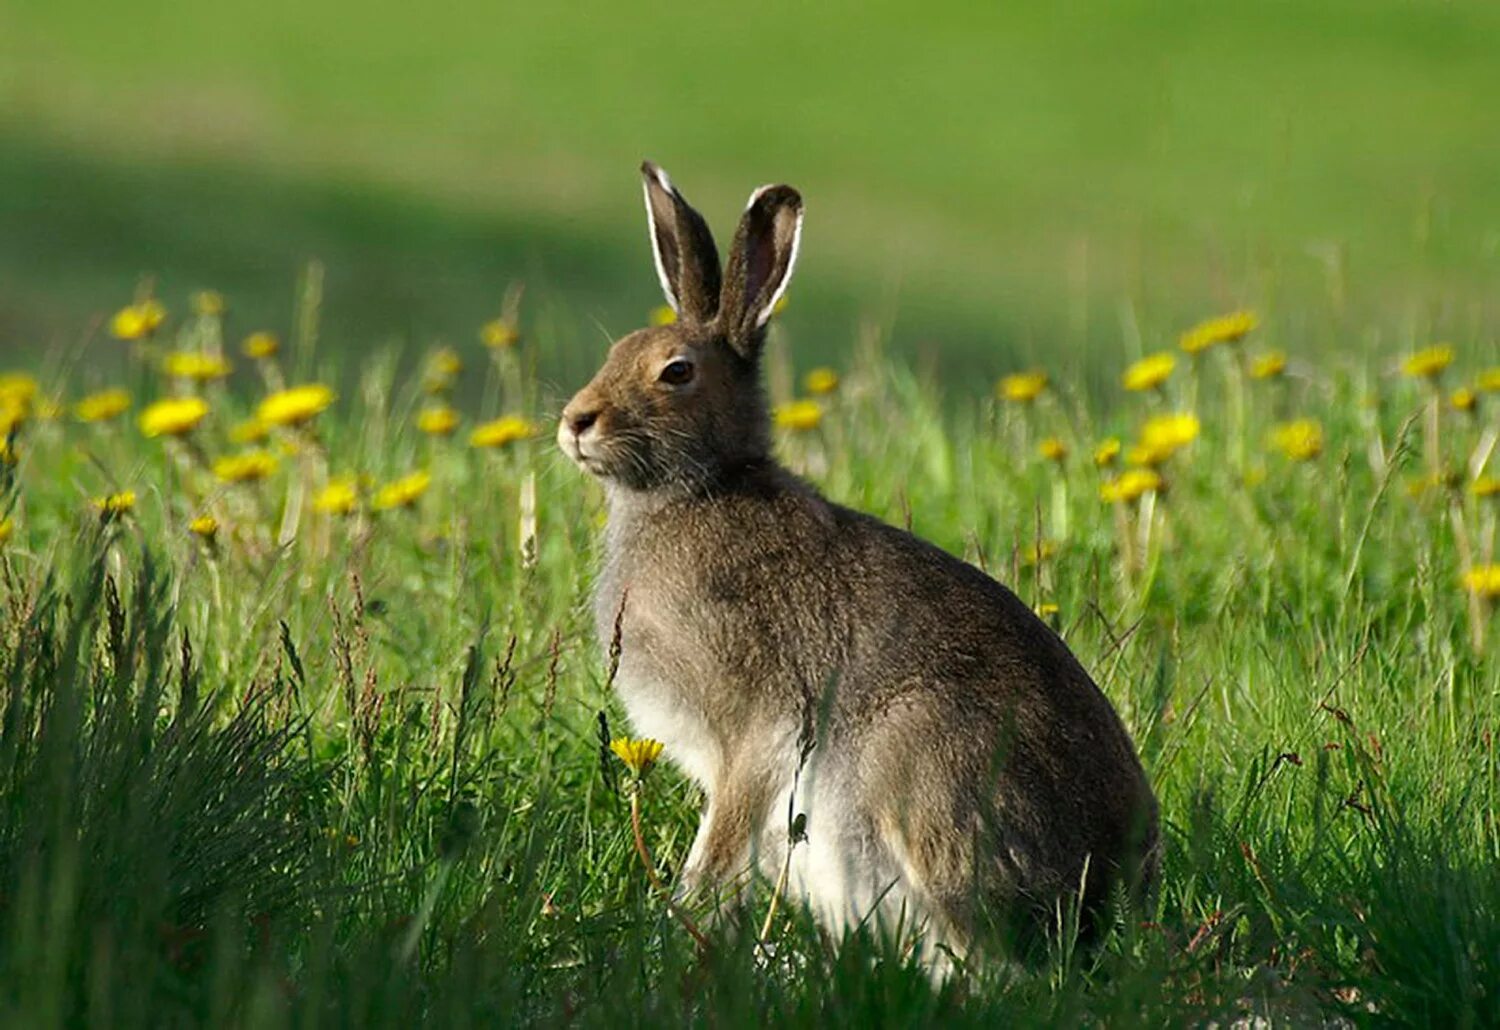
column 760, row 265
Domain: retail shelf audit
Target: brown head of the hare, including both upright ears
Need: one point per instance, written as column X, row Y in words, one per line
column 682, row 406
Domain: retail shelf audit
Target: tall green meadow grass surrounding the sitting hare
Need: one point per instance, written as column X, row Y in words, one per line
column 350, row 768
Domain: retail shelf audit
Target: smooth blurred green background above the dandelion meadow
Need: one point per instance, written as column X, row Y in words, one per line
column 992, row 185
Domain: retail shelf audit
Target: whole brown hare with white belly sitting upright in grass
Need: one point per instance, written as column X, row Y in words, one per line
column 956, row 765
